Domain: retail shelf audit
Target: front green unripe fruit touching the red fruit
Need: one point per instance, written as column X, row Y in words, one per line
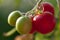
column 23, row 25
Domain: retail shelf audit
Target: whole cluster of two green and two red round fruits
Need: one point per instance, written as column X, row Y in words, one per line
column 43, row 22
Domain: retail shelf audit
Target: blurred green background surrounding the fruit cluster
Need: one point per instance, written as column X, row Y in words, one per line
column 7, row 6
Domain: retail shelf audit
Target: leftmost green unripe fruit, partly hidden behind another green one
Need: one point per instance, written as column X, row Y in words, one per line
column 13, row 17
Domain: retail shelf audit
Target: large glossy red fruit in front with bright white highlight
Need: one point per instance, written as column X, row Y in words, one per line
column 44, row 23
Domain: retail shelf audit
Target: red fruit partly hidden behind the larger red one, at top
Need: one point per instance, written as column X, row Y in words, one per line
column 46, row 6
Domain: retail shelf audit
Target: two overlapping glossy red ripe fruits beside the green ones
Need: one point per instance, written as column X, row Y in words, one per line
column 44, row 22
